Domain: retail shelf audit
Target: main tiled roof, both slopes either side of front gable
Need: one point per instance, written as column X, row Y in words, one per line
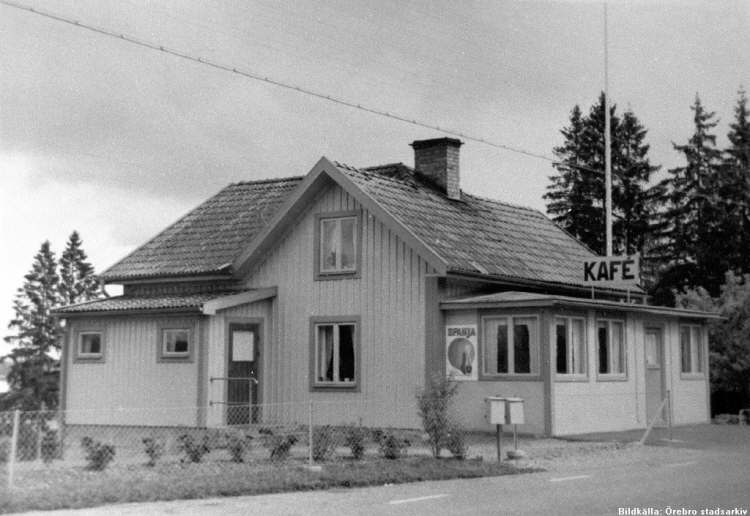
column 475, row 235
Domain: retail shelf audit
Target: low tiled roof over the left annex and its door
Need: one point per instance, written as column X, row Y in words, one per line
column 207, row 303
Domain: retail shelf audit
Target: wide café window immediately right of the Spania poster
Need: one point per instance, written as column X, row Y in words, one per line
column 510, row 345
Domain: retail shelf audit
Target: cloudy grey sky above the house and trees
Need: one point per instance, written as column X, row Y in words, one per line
column 118, row 141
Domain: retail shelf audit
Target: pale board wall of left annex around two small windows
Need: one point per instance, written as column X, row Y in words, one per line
column 131, row 387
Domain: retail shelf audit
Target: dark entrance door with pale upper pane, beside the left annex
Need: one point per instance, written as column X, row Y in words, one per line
column 242, row 373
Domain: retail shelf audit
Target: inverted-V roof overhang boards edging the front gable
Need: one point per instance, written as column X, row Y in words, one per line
column 322, row 175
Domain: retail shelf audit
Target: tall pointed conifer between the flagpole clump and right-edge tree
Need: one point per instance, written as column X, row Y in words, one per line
column 696, row 239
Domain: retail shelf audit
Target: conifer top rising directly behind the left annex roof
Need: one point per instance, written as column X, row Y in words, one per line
column 78, row 282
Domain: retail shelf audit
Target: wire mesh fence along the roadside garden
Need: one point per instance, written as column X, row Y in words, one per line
column 45, row 448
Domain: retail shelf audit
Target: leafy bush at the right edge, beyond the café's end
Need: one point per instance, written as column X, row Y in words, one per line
column 729, row 338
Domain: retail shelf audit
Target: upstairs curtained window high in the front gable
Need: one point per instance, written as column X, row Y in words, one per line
column 337, row 242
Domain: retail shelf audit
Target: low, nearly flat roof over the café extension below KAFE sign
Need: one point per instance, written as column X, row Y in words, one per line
column 514, row 299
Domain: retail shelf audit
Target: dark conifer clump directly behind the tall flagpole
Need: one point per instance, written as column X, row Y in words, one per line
column 576, row 194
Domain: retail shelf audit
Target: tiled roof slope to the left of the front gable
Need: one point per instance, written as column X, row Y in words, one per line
column 207, row 239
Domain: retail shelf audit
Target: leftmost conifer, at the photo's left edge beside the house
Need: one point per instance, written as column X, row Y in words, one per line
column 33, row 378
